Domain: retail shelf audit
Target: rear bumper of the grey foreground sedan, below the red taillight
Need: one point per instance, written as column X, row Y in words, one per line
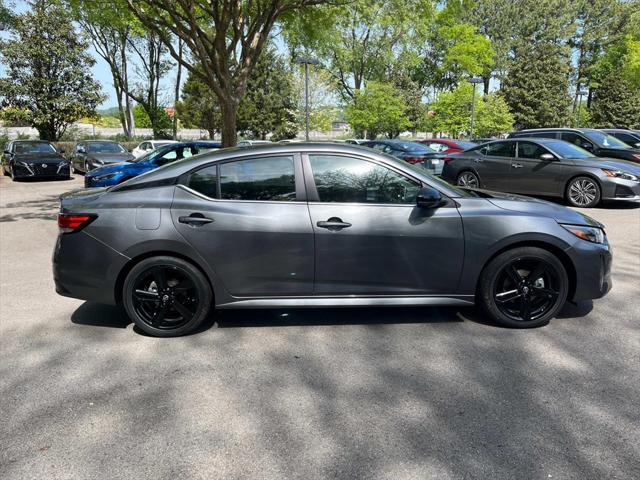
column 85, row 268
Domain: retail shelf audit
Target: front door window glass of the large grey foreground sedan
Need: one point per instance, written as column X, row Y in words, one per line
column 350, row 180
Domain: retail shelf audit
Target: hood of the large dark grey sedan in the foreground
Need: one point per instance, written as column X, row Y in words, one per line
column 520, row 203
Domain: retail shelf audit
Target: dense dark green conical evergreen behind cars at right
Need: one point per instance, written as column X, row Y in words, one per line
column 537, row 85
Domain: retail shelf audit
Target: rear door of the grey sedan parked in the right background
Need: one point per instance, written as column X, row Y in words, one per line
column 493, row 164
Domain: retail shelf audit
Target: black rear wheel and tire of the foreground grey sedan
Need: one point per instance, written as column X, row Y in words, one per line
column 158, row 292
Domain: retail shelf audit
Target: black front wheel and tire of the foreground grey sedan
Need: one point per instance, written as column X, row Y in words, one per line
column 511, row 299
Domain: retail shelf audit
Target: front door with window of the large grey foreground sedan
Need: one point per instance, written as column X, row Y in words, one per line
column 371, row 238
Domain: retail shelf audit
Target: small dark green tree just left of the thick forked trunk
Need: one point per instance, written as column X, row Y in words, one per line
column 199, row 107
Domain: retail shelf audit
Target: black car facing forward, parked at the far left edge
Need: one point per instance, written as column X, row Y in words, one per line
column 34, row 159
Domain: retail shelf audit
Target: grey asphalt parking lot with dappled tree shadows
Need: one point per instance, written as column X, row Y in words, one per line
column 367, row 393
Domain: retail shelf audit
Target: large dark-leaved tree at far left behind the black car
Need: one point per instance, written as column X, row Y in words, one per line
column 47, row 68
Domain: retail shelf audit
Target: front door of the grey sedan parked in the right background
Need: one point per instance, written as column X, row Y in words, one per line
column 533, row 175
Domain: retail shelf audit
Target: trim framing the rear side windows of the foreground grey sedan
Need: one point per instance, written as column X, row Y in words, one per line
column 297, row 171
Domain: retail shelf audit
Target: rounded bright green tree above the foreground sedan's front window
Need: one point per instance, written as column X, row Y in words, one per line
column 379, row 108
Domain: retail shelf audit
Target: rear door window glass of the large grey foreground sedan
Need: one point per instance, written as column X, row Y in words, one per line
column 270, row 178
